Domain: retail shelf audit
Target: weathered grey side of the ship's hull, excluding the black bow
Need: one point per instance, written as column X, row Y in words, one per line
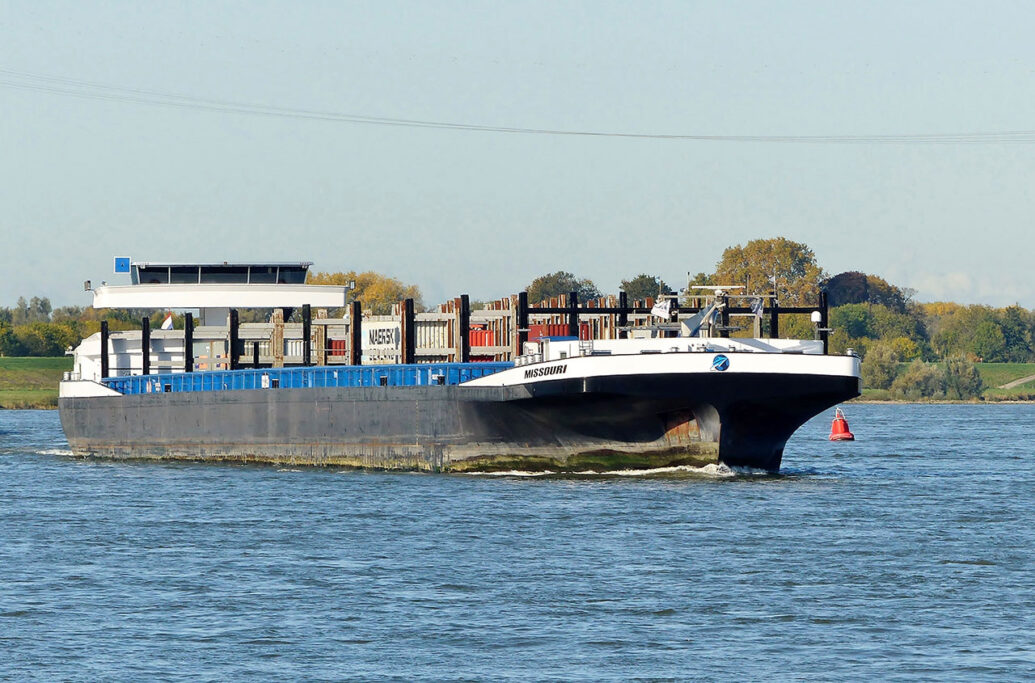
column 390, row 428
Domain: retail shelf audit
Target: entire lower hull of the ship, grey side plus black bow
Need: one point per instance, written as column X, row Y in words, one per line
column 561, row 425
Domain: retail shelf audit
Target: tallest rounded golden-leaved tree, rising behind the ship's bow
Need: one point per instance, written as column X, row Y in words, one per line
column 755, row 265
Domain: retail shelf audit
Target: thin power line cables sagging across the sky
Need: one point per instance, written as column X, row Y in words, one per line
column 99, row 92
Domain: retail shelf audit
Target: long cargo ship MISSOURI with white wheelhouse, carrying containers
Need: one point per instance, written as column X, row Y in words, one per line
column 558, row 388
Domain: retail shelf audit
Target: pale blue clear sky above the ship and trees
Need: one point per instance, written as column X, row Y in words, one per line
column 108, row 172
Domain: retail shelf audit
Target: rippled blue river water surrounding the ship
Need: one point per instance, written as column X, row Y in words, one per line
column 907, row 554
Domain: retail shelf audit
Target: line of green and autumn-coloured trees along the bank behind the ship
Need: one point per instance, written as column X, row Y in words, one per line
column 879, row 320
